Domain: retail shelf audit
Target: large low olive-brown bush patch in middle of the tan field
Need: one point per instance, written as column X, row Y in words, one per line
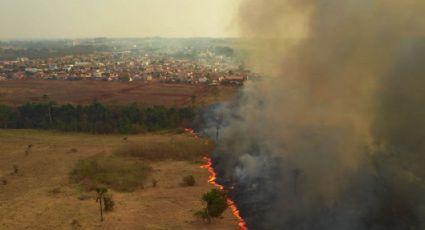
column 111, row 171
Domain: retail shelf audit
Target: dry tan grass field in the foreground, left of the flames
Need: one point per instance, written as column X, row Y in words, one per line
column 42, row 196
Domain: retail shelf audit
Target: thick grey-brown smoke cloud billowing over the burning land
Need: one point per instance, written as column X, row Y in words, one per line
column 333, row 136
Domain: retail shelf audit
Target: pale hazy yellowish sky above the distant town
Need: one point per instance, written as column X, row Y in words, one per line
column 116, row 18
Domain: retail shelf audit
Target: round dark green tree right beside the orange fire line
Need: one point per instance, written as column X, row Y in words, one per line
column 216, row 202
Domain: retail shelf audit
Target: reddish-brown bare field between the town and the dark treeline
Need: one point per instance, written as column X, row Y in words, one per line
column 16, row 92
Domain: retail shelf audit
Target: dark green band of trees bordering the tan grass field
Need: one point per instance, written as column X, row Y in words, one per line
column 94, row 118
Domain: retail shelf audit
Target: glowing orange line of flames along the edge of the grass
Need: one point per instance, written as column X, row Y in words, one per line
column 213, row 180
